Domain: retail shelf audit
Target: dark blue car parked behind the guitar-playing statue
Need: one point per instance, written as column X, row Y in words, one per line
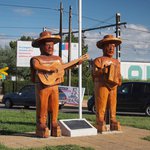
column 26, row 97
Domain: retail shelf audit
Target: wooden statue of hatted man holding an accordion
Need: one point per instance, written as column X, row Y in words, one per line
column 106, row 76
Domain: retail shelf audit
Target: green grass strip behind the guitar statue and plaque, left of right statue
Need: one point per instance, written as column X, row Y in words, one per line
column 20, row 121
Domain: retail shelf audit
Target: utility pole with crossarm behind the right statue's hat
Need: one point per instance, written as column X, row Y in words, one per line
column 118, row 33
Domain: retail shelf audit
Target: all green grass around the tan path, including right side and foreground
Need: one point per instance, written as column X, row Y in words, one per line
column 20, row 121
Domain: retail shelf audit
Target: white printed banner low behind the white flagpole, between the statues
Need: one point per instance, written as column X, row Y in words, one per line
column 72, row 94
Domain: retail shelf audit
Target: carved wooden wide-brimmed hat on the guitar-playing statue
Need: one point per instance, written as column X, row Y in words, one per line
column 47, row 37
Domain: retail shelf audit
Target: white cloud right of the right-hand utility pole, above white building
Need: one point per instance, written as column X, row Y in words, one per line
column 136, row 43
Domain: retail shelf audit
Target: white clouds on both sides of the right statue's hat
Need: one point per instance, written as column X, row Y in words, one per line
column 135, row 46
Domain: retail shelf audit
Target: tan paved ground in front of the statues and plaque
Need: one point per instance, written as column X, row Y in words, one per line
column 129, row 139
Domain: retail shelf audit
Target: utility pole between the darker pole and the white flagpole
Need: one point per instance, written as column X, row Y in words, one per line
column 69, row 45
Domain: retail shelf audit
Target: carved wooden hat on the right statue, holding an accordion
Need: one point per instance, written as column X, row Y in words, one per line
column 108, row 39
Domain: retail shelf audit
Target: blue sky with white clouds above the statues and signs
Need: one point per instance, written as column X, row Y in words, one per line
column 29, row 20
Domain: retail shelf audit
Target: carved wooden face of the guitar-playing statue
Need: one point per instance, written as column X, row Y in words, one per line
column 47, row 48
